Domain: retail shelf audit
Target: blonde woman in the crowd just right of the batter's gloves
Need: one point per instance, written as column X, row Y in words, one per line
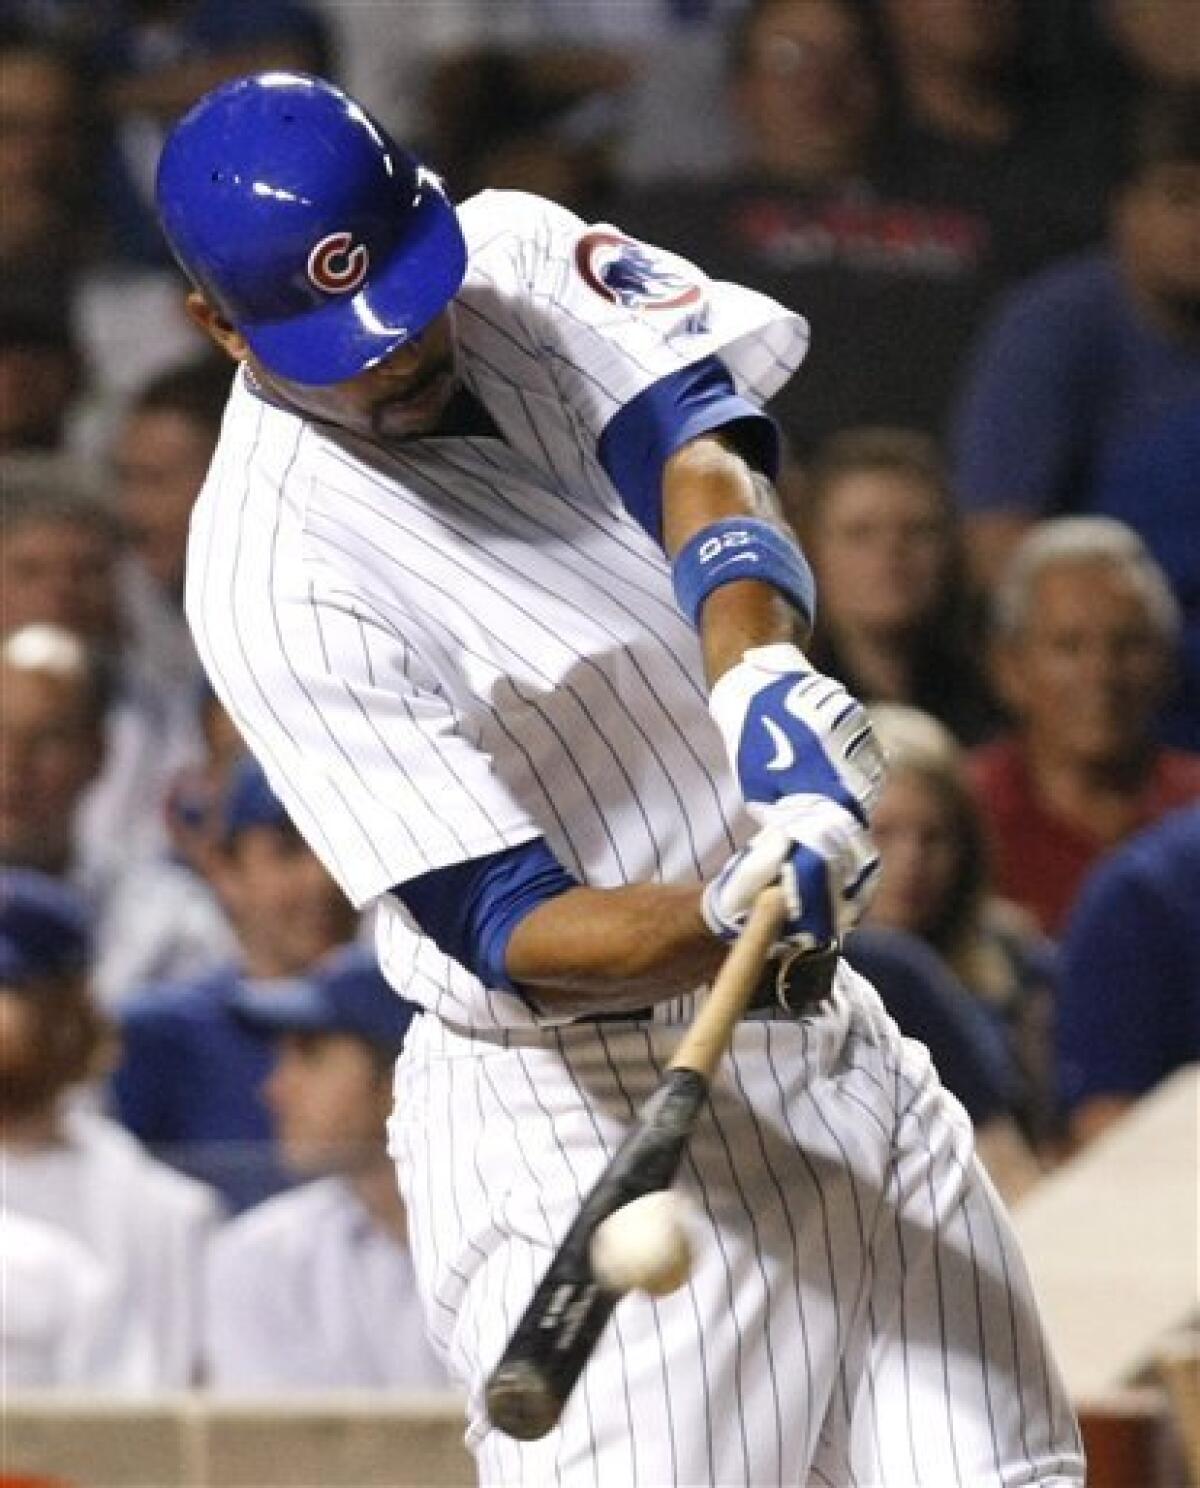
column 936, row 885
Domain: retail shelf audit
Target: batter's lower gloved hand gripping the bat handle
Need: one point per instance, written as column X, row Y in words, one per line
column 820, row 855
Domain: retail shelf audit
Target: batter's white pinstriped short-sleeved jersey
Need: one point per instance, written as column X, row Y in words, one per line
column 444, row 650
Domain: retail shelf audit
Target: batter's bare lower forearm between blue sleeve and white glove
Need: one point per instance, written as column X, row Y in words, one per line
column 613, row 949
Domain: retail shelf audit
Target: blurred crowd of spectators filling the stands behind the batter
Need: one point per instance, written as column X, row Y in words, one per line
column 989, row 211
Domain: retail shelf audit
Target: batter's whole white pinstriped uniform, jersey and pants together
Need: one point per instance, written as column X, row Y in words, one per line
column 446, row 648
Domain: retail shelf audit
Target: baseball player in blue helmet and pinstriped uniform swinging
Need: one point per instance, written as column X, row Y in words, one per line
column 489, row 572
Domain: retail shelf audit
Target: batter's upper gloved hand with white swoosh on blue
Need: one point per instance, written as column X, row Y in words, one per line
column 791, row 731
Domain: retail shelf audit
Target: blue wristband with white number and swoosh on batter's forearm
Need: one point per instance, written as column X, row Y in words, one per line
column 742, row 548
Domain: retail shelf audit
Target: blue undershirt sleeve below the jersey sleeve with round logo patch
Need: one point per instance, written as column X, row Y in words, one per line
column 645, row 434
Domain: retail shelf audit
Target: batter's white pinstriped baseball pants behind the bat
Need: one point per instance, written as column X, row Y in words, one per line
column 760, row 1371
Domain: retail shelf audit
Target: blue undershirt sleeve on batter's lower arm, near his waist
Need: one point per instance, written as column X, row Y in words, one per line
column 471, row 910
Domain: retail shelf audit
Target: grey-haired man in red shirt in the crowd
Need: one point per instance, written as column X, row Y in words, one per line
column 1086, row 630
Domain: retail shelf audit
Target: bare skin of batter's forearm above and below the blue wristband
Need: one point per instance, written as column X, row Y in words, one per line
column 706, row 483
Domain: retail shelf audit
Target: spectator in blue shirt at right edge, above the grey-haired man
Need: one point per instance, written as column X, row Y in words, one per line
column 1085, row 395
